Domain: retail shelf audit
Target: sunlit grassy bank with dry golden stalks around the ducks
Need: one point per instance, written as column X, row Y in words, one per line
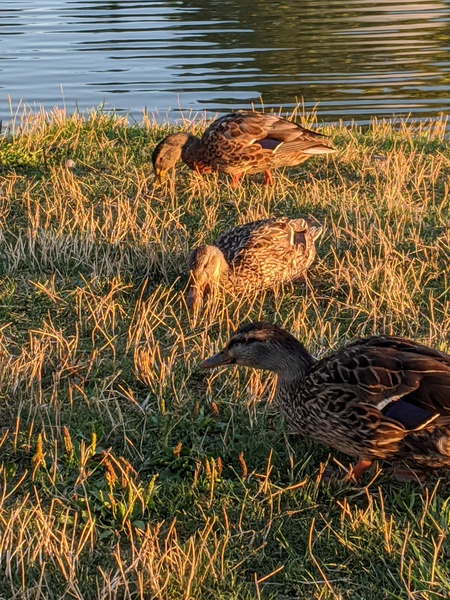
column 128, row 473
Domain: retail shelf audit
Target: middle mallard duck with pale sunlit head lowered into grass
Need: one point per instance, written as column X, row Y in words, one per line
column 257, row 255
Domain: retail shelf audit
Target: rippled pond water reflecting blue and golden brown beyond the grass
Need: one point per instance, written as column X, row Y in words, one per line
column 355, row 58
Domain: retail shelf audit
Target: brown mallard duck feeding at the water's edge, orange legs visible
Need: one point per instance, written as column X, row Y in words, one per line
column 240, row 143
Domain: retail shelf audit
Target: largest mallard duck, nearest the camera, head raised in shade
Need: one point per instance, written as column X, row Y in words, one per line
column 383, row 397
